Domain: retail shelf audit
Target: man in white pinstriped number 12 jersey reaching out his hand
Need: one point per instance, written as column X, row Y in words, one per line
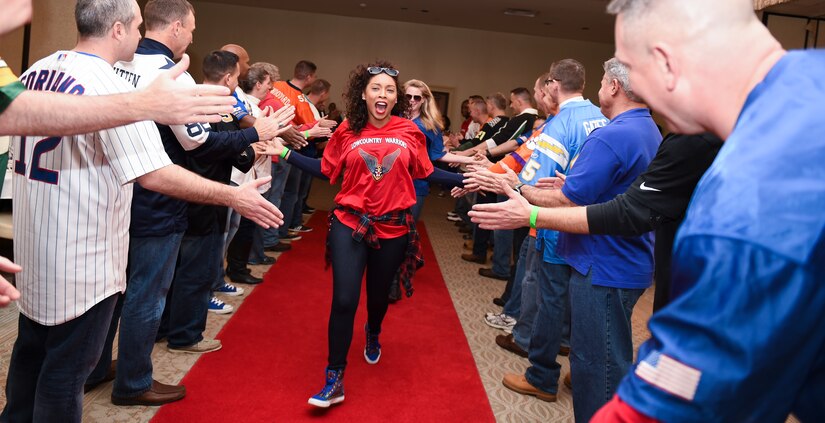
column 72, row 200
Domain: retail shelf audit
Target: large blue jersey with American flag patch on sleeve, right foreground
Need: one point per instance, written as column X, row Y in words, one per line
column 745, row 337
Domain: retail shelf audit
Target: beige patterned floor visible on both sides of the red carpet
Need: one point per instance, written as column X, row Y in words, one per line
column 471, row 295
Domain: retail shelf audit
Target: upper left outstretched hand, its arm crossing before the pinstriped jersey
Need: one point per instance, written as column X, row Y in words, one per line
column 169, row 102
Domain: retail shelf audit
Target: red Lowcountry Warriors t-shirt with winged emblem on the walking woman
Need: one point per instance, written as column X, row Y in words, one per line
column 378, row 167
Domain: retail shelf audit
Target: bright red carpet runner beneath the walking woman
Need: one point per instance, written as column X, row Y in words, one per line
column 275, row 348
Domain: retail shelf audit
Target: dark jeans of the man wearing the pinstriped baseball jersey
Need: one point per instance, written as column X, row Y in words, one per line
column 50, row 364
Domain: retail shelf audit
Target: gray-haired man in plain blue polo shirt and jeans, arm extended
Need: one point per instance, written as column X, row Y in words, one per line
column 609, row 273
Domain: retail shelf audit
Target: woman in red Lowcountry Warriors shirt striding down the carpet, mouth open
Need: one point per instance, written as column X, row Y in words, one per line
column 377, row 154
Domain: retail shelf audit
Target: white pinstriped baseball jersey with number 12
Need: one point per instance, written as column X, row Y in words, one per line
column 72, row 197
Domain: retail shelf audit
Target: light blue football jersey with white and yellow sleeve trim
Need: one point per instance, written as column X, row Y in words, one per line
column 552, row 151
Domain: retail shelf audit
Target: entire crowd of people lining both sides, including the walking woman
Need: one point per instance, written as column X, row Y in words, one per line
column 142, row 217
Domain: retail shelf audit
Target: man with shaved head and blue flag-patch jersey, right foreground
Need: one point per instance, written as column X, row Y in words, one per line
column 744, row 339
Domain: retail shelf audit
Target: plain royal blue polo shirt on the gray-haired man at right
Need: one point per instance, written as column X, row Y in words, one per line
column 608, row 162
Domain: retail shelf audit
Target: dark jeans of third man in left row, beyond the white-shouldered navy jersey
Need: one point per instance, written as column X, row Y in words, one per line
column 187, row 305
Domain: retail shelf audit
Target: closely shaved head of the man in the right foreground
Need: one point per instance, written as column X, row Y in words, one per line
column 693, row 61
